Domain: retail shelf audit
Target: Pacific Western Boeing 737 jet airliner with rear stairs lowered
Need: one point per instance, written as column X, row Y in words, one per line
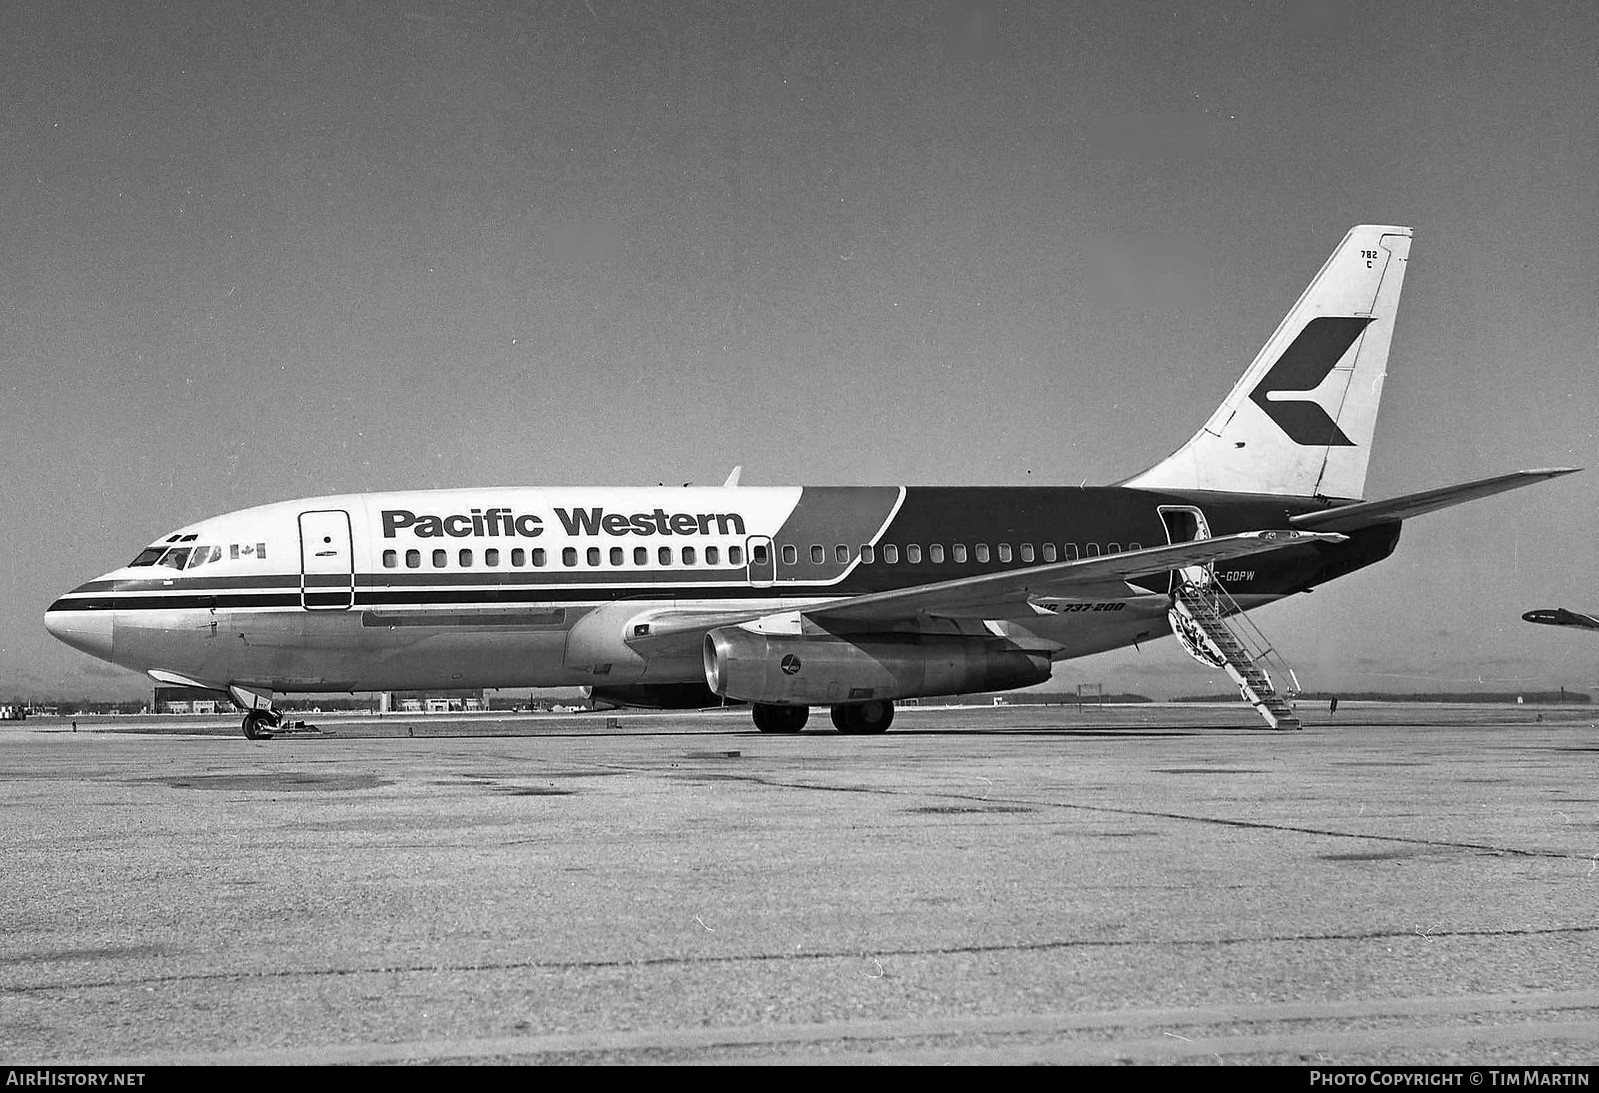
column 791, row 598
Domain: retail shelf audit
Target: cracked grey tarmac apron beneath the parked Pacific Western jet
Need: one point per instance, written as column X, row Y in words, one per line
column 1392, row 886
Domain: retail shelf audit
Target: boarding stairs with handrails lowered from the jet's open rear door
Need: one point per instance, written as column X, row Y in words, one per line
column 1227, row 638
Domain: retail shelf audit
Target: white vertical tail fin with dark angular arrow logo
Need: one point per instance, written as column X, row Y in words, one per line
column 1301, row 419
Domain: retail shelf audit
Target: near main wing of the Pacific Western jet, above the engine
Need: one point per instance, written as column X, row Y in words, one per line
column 999, row 595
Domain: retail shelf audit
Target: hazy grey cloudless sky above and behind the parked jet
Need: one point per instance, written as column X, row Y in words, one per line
column 279, row 250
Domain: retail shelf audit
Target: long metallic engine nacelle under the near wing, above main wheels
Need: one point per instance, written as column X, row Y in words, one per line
column 823, row 672
